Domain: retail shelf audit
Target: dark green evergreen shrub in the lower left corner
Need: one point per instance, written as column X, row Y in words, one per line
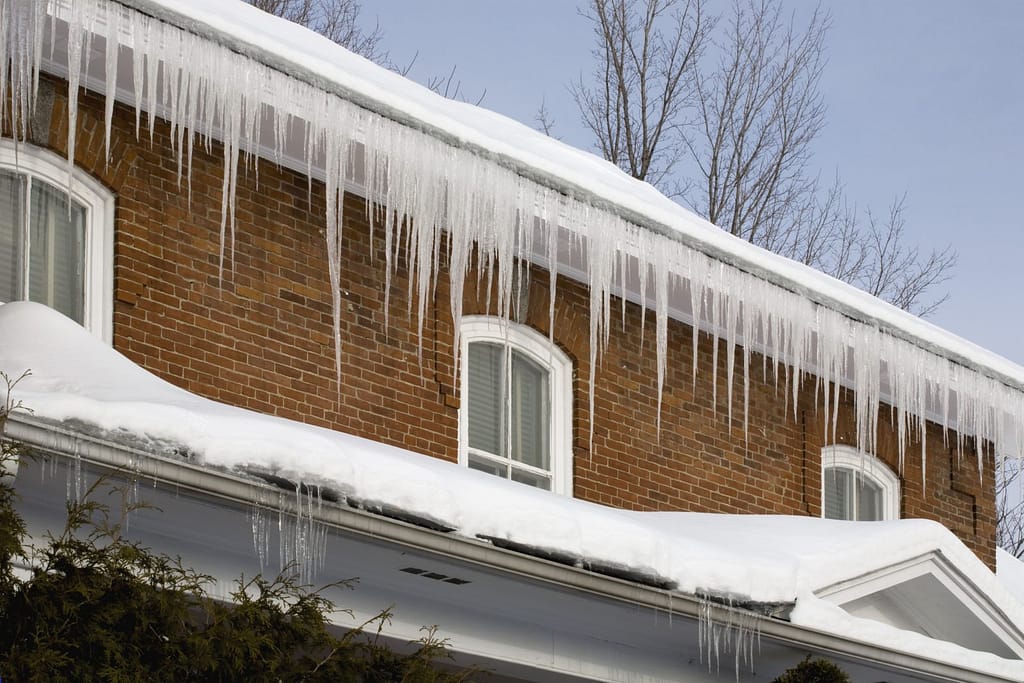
column 96, row 607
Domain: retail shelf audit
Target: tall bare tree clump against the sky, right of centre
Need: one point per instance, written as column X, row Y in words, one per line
column 735, row 106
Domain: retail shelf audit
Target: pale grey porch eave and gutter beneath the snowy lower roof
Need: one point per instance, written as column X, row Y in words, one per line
column 521, row 616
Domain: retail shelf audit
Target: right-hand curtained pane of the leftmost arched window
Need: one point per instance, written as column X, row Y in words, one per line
column 57, row 251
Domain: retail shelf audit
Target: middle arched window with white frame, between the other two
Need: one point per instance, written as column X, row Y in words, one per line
column 517, row 405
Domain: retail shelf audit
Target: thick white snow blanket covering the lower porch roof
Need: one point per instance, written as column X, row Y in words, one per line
column 747, row 559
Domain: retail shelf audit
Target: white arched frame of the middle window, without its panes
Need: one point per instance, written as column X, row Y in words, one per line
column 540, row 350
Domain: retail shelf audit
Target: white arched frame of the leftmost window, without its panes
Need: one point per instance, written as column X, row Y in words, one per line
column 48, row 167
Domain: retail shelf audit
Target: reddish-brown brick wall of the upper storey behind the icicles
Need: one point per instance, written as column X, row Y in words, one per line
column 262, row 338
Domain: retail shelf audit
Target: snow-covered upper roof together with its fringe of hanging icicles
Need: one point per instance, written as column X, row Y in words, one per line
column 259, row 83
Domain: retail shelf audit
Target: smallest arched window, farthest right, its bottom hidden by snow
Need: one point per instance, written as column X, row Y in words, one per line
column 858, row 486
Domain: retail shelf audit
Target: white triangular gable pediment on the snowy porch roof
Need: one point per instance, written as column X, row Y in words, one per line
column 929, row 595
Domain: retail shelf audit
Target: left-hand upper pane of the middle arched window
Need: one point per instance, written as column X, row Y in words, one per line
column 486, row 372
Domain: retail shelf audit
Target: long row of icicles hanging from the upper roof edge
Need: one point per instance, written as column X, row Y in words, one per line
column 204, row 91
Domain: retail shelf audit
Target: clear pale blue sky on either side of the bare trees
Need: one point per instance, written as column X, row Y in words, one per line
column 924, row 97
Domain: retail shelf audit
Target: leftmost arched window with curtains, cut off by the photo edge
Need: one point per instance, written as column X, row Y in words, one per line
column 53, row 251
